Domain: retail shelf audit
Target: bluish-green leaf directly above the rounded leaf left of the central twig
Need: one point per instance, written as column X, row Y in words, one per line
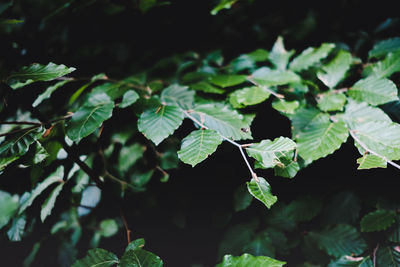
column 177, row 95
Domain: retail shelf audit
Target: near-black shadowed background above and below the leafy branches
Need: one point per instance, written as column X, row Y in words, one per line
column 183, row 220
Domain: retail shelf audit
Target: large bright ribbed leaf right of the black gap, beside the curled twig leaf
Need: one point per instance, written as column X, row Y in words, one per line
column 321, row 138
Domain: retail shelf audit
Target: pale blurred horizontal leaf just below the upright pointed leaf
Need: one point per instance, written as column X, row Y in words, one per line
column 267, row 77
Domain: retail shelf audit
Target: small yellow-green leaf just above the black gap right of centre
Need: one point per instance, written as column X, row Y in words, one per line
column 248, row 96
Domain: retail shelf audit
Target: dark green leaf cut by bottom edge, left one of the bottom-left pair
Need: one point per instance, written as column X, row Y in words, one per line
column 97, row 257
